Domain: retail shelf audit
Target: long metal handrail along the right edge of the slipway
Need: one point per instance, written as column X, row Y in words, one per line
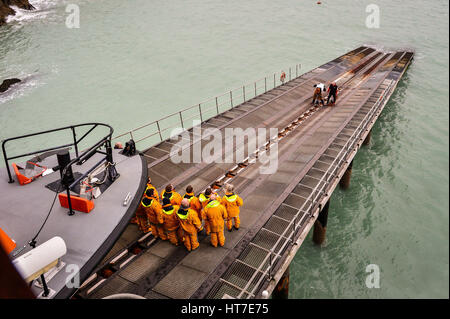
column 313, row 200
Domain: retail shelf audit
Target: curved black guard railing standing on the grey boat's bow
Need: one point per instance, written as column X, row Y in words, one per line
column 79, row 158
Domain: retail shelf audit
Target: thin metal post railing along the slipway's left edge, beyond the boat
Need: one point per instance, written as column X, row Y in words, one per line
column 242, row 93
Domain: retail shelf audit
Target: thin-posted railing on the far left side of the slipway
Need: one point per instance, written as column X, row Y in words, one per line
column 205, row 110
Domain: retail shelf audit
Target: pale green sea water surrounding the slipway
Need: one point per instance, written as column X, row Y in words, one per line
column 131, row 62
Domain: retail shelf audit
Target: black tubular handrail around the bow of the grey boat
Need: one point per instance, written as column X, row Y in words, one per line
column 75, row 142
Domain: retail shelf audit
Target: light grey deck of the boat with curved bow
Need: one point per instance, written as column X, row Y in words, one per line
column 88, row 237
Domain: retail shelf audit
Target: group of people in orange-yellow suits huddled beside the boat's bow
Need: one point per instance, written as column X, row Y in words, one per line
column 179, row 218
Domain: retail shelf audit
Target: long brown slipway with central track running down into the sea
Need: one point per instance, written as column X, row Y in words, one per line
column 315, row 146
